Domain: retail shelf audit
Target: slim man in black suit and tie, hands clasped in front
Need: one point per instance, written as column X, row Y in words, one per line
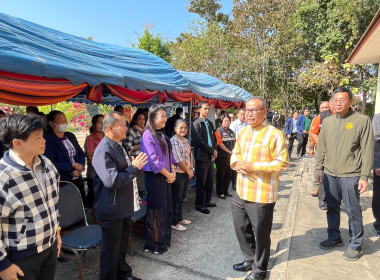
column 205, row 154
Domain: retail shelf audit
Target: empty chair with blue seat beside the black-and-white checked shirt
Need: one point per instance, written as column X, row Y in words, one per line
column 81, row 236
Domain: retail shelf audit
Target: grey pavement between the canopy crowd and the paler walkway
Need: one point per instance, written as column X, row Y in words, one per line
column 207, row 250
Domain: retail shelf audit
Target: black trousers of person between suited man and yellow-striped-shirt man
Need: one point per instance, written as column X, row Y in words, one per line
column 223, row 175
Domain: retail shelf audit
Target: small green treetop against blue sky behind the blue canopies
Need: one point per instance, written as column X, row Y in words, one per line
column 155, row 44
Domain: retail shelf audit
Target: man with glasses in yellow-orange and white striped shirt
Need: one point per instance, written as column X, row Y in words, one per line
column 259, row 155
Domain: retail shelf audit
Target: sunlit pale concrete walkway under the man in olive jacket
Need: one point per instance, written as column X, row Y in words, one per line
column 298, row 255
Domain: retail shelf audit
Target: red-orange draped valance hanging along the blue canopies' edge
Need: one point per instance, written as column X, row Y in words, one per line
column 19, row 89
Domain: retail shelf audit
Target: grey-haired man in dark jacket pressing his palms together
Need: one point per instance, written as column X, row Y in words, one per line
column 115, row 196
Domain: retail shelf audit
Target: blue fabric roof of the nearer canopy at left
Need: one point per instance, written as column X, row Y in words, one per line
column 32, row 49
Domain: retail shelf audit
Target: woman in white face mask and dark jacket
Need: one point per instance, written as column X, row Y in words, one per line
column 63, row 150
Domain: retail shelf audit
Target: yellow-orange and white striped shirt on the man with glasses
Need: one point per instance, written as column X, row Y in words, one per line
column 265, row 147
